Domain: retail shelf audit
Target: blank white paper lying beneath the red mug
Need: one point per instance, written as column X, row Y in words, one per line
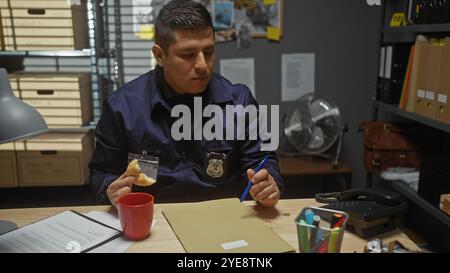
column 118, row 245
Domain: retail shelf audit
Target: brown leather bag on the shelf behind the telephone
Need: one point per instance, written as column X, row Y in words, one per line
column 390, row 145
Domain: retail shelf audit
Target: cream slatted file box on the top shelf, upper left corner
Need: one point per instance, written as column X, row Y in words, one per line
column 44, row 25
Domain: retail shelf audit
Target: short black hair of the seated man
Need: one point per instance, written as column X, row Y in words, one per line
column 177, row 14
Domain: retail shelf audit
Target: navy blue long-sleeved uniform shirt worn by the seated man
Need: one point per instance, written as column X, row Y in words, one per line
column 137, row 118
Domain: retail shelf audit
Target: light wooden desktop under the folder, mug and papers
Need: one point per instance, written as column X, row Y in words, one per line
column 162, row 239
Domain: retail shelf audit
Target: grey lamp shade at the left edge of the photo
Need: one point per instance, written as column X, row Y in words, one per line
column 17, row 119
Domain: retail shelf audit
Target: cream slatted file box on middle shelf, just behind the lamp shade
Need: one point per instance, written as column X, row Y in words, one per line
column 63, row 99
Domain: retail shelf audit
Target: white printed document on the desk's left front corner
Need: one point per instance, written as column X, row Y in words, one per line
column 61, row 233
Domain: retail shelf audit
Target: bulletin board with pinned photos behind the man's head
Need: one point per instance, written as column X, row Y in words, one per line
column 232, row 19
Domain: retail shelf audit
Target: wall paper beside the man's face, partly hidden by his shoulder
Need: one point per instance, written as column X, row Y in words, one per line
column 239, row 71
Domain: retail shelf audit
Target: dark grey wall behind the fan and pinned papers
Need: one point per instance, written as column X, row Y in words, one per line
column 343, row 34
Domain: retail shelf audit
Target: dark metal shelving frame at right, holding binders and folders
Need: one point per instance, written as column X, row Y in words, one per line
column 422, row 215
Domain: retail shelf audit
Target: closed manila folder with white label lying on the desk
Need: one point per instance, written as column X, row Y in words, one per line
column 223, row 225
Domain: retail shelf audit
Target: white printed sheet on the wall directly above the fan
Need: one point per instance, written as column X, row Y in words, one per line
column 297, row 75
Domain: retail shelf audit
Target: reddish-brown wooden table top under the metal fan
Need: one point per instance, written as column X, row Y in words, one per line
column 299, row 166
